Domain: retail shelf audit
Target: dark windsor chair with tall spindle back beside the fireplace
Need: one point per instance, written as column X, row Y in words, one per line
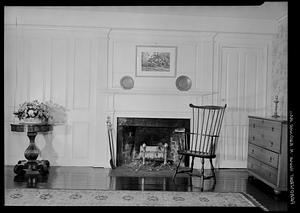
column 201, row 142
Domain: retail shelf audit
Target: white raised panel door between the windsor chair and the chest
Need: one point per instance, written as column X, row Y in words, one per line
column 241, row 84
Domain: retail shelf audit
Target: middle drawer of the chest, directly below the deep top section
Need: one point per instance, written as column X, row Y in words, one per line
column 264, row 155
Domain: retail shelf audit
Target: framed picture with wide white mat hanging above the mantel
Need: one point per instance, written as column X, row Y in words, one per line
column 156, row 61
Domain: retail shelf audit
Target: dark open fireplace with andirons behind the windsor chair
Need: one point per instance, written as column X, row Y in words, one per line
column 157, row 134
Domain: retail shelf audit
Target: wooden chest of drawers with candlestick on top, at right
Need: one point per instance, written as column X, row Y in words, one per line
column 267, row 151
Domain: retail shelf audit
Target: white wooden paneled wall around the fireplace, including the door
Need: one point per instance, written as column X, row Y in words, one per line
column 81, row 68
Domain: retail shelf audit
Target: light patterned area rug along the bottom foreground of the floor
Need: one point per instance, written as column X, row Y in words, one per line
column 66, row 197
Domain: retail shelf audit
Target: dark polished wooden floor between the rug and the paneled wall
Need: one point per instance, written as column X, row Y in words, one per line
column 228, row 180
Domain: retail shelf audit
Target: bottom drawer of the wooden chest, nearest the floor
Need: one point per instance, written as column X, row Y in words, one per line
column 268, row 173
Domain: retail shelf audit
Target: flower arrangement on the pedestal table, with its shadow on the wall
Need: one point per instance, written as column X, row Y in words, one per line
column 36, row 111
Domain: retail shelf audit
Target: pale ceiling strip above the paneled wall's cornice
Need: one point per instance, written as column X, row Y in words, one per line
column 268, row 10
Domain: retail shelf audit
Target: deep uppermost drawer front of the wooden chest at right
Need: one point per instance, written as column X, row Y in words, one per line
column 265, row 133
